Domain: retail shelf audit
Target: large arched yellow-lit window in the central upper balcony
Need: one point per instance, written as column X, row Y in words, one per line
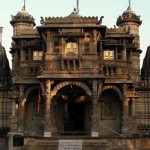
column 71, row 48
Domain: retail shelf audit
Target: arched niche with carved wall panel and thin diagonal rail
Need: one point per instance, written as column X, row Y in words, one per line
column 110, row 111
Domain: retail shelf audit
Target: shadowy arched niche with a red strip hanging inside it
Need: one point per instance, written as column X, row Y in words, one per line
column 34, row 111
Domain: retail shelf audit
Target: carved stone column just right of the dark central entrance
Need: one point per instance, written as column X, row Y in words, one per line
column 95, row 117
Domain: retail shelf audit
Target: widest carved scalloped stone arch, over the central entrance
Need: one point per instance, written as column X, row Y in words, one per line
column 66, row 83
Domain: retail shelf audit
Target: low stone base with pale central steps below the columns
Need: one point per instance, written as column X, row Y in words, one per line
column 78, row 143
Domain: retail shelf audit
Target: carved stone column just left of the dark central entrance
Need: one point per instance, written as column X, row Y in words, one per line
column 48, row 128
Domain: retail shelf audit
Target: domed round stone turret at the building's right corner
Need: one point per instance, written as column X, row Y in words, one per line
column 131, row 22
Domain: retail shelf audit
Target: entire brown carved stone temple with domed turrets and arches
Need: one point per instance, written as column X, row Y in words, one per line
column 75, row 84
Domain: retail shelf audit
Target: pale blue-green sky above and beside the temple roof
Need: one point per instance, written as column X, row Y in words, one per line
column 110, row 9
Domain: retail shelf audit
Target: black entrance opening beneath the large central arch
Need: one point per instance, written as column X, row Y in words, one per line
column 74, row 99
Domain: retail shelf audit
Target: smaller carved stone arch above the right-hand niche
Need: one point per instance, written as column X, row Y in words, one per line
column 112, row 87
